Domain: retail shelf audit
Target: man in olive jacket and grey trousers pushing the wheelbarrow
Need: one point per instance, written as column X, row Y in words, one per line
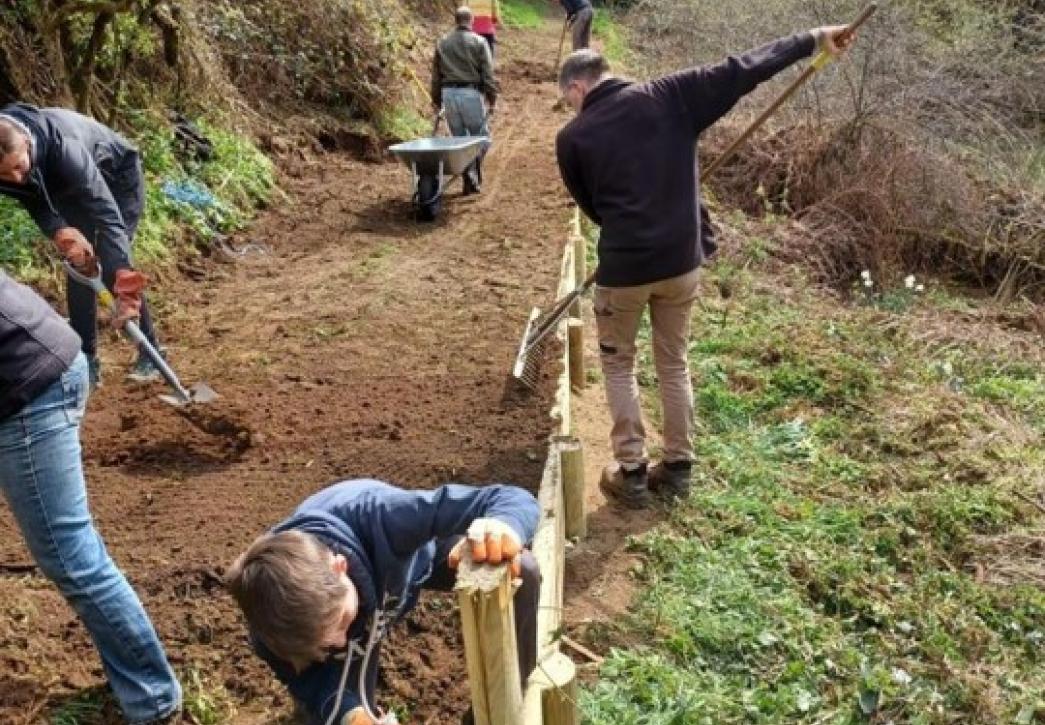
column 462, row 77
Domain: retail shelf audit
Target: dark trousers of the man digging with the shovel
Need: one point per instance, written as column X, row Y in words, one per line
column 129, row 191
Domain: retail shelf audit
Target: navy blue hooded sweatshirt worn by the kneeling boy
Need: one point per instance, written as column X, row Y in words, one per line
column 390, row 537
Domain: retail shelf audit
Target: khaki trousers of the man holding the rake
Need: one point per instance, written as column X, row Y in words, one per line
column 618, row 312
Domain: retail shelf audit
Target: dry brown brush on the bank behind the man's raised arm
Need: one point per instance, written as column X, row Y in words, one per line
column 925, row 151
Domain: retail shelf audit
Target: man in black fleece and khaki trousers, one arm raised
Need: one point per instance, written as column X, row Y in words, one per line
column 629, row 159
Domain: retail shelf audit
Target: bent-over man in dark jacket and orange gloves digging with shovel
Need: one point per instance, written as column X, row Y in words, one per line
column 83, row 184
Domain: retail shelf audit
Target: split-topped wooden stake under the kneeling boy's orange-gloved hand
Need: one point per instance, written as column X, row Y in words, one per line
column 489, row 620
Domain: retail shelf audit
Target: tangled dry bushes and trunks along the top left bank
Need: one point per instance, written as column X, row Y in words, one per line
column 340, row 60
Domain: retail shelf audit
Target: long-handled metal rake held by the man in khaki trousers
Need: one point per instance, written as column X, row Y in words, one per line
column 540, row 326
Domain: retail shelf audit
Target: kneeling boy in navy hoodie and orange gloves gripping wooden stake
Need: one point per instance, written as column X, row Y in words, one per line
column 321, row 590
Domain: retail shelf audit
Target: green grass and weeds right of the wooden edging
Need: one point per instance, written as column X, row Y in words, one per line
column 841, row 559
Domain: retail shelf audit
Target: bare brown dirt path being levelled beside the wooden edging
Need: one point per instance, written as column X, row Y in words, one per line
column 363, row 344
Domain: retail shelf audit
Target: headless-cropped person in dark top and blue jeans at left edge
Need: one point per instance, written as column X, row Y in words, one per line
column 43, row 394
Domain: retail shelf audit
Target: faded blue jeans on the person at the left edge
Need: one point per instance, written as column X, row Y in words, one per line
column 42, row 479
